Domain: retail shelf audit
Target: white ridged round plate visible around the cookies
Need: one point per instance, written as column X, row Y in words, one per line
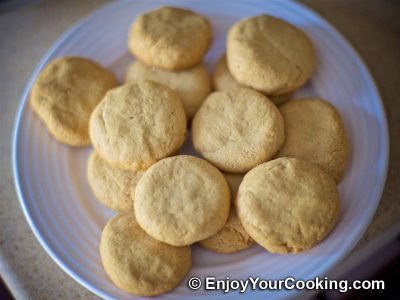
column 67, row 220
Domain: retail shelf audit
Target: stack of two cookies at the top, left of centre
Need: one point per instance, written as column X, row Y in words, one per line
column 170, row 44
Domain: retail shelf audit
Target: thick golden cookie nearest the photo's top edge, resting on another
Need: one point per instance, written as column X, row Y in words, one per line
column 170, row 38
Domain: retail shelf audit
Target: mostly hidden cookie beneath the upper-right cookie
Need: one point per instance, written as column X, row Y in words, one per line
column 223, row 81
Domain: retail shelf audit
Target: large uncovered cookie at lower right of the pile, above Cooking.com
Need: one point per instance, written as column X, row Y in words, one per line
column 288, row 205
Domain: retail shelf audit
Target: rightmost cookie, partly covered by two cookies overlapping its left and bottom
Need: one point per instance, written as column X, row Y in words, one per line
column 315, row 132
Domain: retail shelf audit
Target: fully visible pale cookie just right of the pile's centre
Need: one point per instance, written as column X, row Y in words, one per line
column 237, row 129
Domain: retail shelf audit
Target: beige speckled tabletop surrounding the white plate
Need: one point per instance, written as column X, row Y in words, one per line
column 28, row 30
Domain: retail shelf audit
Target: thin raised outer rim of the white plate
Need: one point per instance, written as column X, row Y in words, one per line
column 24, row 99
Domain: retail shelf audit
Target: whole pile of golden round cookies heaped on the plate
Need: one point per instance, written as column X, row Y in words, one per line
column 267, row 175
